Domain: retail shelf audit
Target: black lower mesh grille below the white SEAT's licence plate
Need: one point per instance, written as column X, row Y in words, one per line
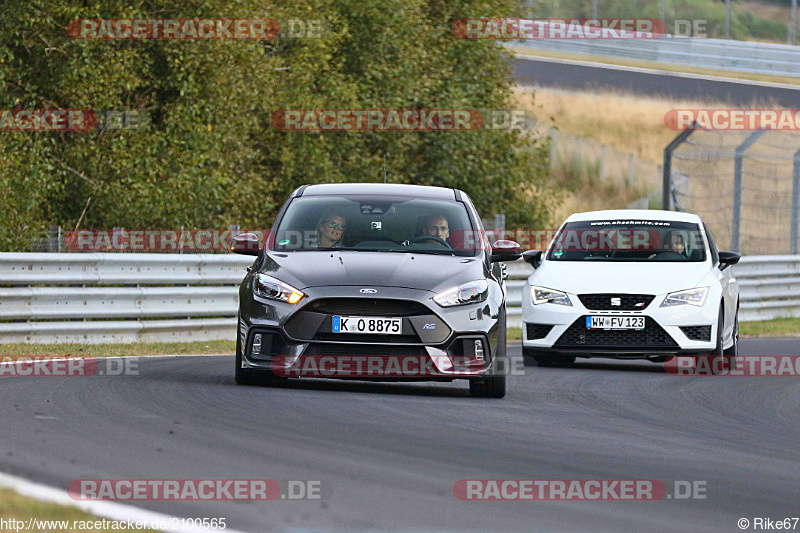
column 652, row 336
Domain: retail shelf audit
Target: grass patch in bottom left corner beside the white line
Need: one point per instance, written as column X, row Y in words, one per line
column 15, row 506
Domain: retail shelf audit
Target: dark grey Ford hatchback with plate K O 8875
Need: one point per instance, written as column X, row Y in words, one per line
column 376, row 282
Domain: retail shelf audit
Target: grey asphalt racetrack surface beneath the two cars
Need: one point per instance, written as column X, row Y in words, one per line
column 392, row 452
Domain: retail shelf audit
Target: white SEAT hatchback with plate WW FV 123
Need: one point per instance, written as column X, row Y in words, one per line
column 632, row 284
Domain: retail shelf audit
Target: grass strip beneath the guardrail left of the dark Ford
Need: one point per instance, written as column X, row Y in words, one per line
column 115, row 350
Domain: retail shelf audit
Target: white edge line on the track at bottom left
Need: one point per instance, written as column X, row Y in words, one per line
column 110, row 510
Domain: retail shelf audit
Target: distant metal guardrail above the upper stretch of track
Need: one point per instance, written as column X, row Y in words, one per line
column 742, row 56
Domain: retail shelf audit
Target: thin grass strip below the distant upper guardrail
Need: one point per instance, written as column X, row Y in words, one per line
column 750, row 76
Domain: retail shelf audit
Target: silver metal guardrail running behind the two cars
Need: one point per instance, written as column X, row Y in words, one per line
column 96, row 298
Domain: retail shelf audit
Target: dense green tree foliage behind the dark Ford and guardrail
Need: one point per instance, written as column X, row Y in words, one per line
column 209, row 157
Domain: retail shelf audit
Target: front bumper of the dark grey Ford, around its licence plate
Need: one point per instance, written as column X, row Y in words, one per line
column 446, row 343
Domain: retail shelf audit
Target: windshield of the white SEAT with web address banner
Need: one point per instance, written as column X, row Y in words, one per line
column 629, row 240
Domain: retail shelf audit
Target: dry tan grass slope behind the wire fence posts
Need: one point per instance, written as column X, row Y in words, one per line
column 634, row 124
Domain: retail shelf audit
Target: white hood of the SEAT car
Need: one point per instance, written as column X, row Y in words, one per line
column 635, row 278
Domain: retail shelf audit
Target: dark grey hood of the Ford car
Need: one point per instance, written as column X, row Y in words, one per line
column 372, row 269
